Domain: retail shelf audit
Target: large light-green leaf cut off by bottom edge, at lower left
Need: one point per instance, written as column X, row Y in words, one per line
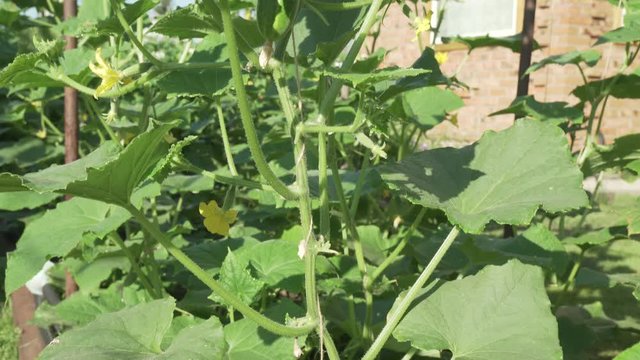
column 137, row 333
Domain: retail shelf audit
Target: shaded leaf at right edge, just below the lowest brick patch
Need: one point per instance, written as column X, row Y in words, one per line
column 624, row 150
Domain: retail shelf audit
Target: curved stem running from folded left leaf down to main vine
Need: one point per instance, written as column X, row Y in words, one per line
column 229, row 297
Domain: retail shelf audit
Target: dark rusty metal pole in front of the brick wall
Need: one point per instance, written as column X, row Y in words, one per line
column 526, row 48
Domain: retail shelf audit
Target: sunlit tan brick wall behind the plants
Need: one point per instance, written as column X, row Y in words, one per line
column 491, row 73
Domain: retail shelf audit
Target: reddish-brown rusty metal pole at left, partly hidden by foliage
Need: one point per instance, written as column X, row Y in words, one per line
column 70, row 122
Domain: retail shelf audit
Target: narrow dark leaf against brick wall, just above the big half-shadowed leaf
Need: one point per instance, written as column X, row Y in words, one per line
column 556, row 113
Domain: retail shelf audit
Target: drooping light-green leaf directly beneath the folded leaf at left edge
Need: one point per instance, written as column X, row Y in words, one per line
column 58, row 232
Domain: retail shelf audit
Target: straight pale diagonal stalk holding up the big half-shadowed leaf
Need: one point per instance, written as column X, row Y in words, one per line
column 394, row 318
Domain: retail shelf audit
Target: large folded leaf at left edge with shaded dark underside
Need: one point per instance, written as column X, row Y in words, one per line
column 107, row 174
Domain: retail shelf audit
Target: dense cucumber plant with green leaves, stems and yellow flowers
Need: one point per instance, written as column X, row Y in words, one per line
column 251, row 186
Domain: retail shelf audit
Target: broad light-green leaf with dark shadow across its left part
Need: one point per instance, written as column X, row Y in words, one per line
column 505, row 177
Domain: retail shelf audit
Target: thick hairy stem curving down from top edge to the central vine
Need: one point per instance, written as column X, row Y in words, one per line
column 245, row 113
